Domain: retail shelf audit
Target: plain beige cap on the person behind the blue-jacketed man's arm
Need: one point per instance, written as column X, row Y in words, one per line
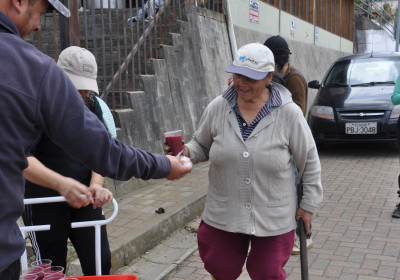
column 80, row 66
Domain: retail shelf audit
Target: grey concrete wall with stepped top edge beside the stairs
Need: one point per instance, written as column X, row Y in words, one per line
column 191, row 74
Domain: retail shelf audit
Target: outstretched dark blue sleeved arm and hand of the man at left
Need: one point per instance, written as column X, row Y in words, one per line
column 69, row 123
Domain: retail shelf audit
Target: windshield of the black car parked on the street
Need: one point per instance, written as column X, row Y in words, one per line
column 367, row 71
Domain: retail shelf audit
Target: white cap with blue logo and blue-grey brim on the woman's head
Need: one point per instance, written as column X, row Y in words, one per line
column 253, row 60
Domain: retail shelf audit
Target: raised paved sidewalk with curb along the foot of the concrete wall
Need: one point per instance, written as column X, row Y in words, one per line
column 138, row 228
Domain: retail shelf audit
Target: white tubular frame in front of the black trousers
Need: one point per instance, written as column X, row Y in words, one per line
column 96, row 224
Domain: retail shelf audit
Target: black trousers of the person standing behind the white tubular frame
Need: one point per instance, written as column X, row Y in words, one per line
column 52, row 244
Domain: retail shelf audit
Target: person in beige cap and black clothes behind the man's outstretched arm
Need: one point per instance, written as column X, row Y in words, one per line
column 46, row 159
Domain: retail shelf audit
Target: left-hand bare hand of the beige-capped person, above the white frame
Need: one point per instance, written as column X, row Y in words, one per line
column 72, row 190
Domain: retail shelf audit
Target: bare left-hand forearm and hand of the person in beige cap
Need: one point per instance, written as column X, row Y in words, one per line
column 71, row 189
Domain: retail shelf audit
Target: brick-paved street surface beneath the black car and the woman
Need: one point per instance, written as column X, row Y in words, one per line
column 354, row 235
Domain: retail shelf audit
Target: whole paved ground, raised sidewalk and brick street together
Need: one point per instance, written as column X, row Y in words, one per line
column 354, row 235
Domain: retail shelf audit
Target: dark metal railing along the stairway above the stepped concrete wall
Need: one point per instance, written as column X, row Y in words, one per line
column 122, row 50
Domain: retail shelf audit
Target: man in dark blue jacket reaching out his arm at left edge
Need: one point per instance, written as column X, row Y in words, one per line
column 36, row 98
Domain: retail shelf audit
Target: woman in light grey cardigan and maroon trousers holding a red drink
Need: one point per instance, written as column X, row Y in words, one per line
column 250, row 134
